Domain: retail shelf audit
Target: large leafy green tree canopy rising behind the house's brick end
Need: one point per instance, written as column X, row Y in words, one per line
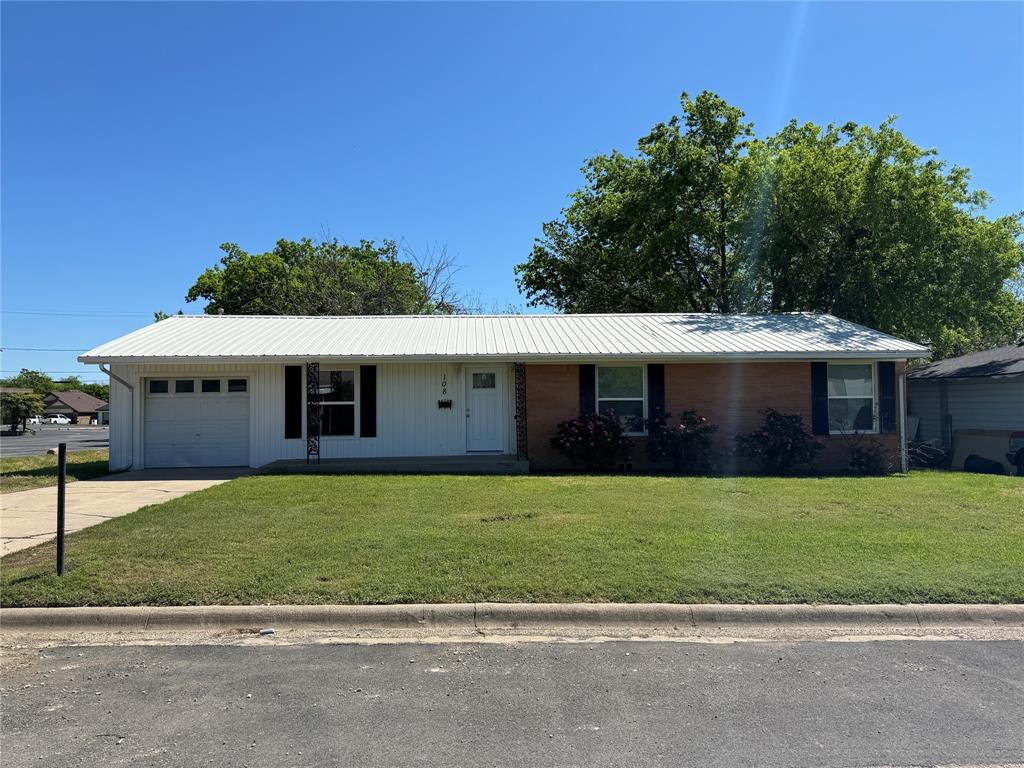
column 851, row 221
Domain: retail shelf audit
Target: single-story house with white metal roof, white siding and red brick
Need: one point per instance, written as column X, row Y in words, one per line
column 223, row 391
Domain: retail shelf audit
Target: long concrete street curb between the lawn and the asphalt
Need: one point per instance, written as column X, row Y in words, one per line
column 507, row 616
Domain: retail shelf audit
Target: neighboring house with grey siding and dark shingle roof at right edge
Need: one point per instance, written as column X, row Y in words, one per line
column 982, row 394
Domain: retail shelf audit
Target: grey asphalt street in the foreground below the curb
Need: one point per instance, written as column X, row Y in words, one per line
column 615, row 704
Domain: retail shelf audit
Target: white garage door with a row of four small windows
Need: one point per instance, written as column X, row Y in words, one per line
column 197, row 422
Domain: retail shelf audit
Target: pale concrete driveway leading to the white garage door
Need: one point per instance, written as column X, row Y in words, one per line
column 29, row 518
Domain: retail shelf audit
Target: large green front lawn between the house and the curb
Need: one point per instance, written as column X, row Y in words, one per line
column 927, row 537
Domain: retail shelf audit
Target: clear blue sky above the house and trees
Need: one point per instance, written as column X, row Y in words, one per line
column 138, row 138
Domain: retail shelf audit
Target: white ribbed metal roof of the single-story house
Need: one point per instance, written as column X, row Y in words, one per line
column 504, row 337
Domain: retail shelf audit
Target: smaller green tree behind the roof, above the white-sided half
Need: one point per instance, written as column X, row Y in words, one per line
column 326, row 278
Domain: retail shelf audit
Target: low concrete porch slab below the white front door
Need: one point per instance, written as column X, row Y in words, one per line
column 477, row 464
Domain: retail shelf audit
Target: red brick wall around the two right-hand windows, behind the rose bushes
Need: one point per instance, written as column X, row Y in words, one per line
column 733, row 396
